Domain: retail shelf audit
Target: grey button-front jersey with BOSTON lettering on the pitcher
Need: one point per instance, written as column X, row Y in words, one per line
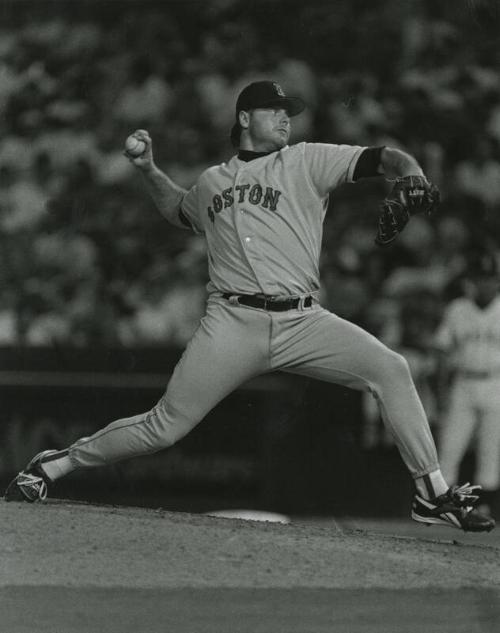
column 263, row 219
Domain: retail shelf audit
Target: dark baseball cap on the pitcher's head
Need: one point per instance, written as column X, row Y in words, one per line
column 264, row 94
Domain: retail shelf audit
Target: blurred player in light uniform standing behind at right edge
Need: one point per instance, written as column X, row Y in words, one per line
column 469, row 336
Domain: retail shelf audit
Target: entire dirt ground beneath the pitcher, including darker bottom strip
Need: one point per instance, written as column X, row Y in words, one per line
column 73, row 567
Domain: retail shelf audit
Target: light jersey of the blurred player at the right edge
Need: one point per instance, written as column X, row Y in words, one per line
column 472, row 335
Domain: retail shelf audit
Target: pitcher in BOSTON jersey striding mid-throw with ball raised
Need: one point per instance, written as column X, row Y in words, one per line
column 262, row 214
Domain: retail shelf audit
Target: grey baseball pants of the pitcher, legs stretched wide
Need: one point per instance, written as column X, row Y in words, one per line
column 235, row 343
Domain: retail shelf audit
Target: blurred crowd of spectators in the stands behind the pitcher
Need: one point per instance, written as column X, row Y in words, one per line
column 86, row 259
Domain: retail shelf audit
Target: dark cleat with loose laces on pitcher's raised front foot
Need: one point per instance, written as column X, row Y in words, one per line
column 454, row 508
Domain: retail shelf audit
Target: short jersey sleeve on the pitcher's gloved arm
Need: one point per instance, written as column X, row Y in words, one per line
column 330, row 165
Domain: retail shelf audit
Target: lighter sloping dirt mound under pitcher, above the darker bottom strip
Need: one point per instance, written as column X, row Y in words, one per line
column 75, row 544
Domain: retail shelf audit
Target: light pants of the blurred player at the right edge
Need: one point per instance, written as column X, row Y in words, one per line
column 473, row 422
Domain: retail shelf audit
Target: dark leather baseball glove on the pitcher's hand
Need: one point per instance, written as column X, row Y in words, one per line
column 409, row 195
